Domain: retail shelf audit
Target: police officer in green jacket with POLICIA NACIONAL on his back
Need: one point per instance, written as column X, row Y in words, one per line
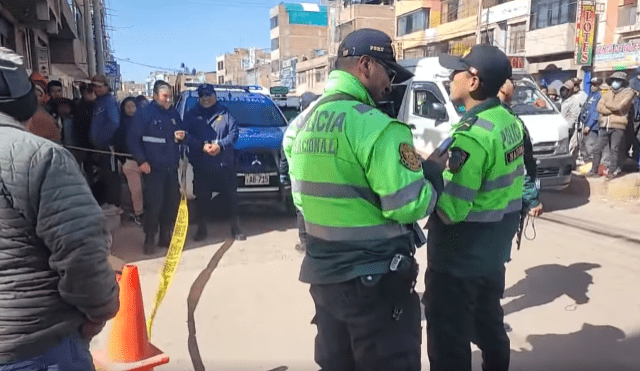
column 361, row 187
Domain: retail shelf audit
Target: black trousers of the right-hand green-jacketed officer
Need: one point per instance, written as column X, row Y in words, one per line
column 462, row 310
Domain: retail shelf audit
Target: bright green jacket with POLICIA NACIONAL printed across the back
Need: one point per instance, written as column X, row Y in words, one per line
column 355, row 176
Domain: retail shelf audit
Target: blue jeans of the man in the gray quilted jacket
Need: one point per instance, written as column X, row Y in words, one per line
column 72, row 354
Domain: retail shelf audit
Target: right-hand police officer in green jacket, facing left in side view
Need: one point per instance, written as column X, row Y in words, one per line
column 476, row 218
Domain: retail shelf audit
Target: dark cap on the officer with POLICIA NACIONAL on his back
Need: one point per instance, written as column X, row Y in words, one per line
column 376, row 44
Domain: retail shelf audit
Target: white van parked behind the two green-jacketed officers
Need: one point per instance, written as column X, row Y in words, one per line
column 426, row 107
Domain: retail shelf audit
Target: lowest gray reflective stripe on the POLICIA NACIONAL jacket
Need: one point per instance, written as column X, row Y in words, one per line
column 369, row 233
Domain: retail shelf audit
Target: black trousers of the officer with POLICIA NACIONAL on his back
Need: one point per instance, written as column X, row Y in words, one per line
column 357, row 329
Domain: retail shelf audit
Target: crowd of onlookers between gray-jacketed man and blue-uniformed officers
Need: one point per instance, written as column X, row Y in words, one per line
column 93, row 127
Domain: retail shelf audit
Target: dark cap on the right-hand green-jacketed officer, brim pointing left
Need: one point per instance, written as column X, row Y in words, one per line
column 487, row 62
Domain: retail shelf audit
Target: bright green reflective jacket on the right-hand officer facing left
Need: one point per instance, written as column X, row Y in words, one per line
column 489, row 182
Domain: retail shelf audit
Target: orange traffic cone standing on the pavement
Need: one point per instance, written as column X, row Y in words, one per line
column 128, row 347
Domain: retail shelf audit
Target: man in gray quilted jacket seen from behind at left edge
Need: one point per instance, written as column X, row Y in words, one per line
column 57, row 288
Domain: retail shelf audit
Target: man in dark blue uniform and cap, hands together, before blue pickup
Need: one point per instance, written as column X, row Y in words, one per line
column 210, row 123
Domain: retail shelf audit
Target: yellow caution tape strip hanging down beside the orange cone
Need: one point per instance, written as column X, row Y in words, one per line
column 173, row 257
